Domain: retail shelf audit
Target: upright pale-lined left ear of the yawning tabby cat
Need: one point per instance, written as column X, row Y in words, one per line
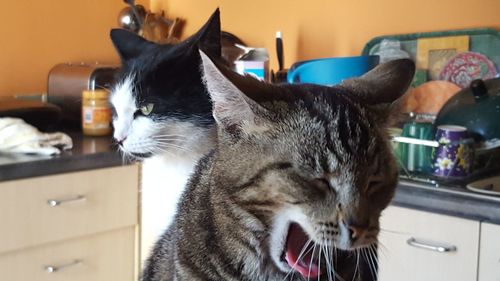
column 233, row 111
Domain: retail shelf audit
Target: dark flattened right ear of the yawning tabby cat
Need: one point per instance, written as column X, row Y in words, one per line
column 382, row 87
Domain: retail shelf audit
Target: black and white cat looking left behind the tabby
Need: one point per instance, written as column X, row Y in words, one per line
column 164, row 116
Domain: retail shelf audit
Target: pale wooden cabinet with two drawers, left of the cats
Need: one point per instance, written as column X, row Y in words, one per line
column 81, row 226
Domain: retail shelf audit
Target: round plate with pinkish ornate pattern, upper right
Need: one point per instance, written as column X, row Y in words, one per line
column 468, row 66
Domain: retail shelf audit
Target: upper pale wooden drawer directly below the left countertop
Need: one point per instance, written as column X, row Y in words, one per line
column 107, row 199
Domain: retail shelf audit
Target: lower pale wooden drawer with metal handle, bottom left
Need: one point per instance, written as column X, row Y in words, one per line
column 101, row 257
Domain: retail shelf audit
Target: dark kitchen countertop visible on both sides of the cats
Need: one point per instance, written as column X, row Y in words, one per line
column 98, row 152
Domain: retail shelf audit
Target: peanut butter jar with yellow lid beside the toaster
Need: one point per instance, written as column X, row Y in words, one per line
column 96, row 113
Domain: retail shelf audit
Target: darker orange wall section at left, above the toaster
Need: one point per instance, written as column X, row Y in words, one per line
column 35, row 35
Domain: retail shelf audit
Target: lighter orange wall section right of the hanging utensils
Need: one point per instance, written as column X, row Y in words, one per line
column 323, row 28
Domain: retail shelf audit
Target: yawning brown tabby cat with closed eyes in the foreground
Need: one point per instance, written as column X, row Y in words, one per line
column 295, row 186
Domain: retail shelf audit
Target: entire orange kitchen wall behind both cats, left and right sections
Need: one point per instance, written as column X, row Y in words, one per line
column 38, row 34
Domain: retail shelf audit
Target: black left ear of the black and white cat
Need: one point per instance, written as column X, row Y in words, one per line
column 128, row 44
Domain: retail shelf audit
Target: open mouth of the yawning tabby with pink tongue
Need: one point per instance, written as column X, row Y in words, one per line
column 301, row 254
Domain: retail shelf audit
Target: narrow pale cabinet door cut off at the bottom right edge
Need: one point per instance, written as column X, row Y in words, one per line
column 489, row 253
